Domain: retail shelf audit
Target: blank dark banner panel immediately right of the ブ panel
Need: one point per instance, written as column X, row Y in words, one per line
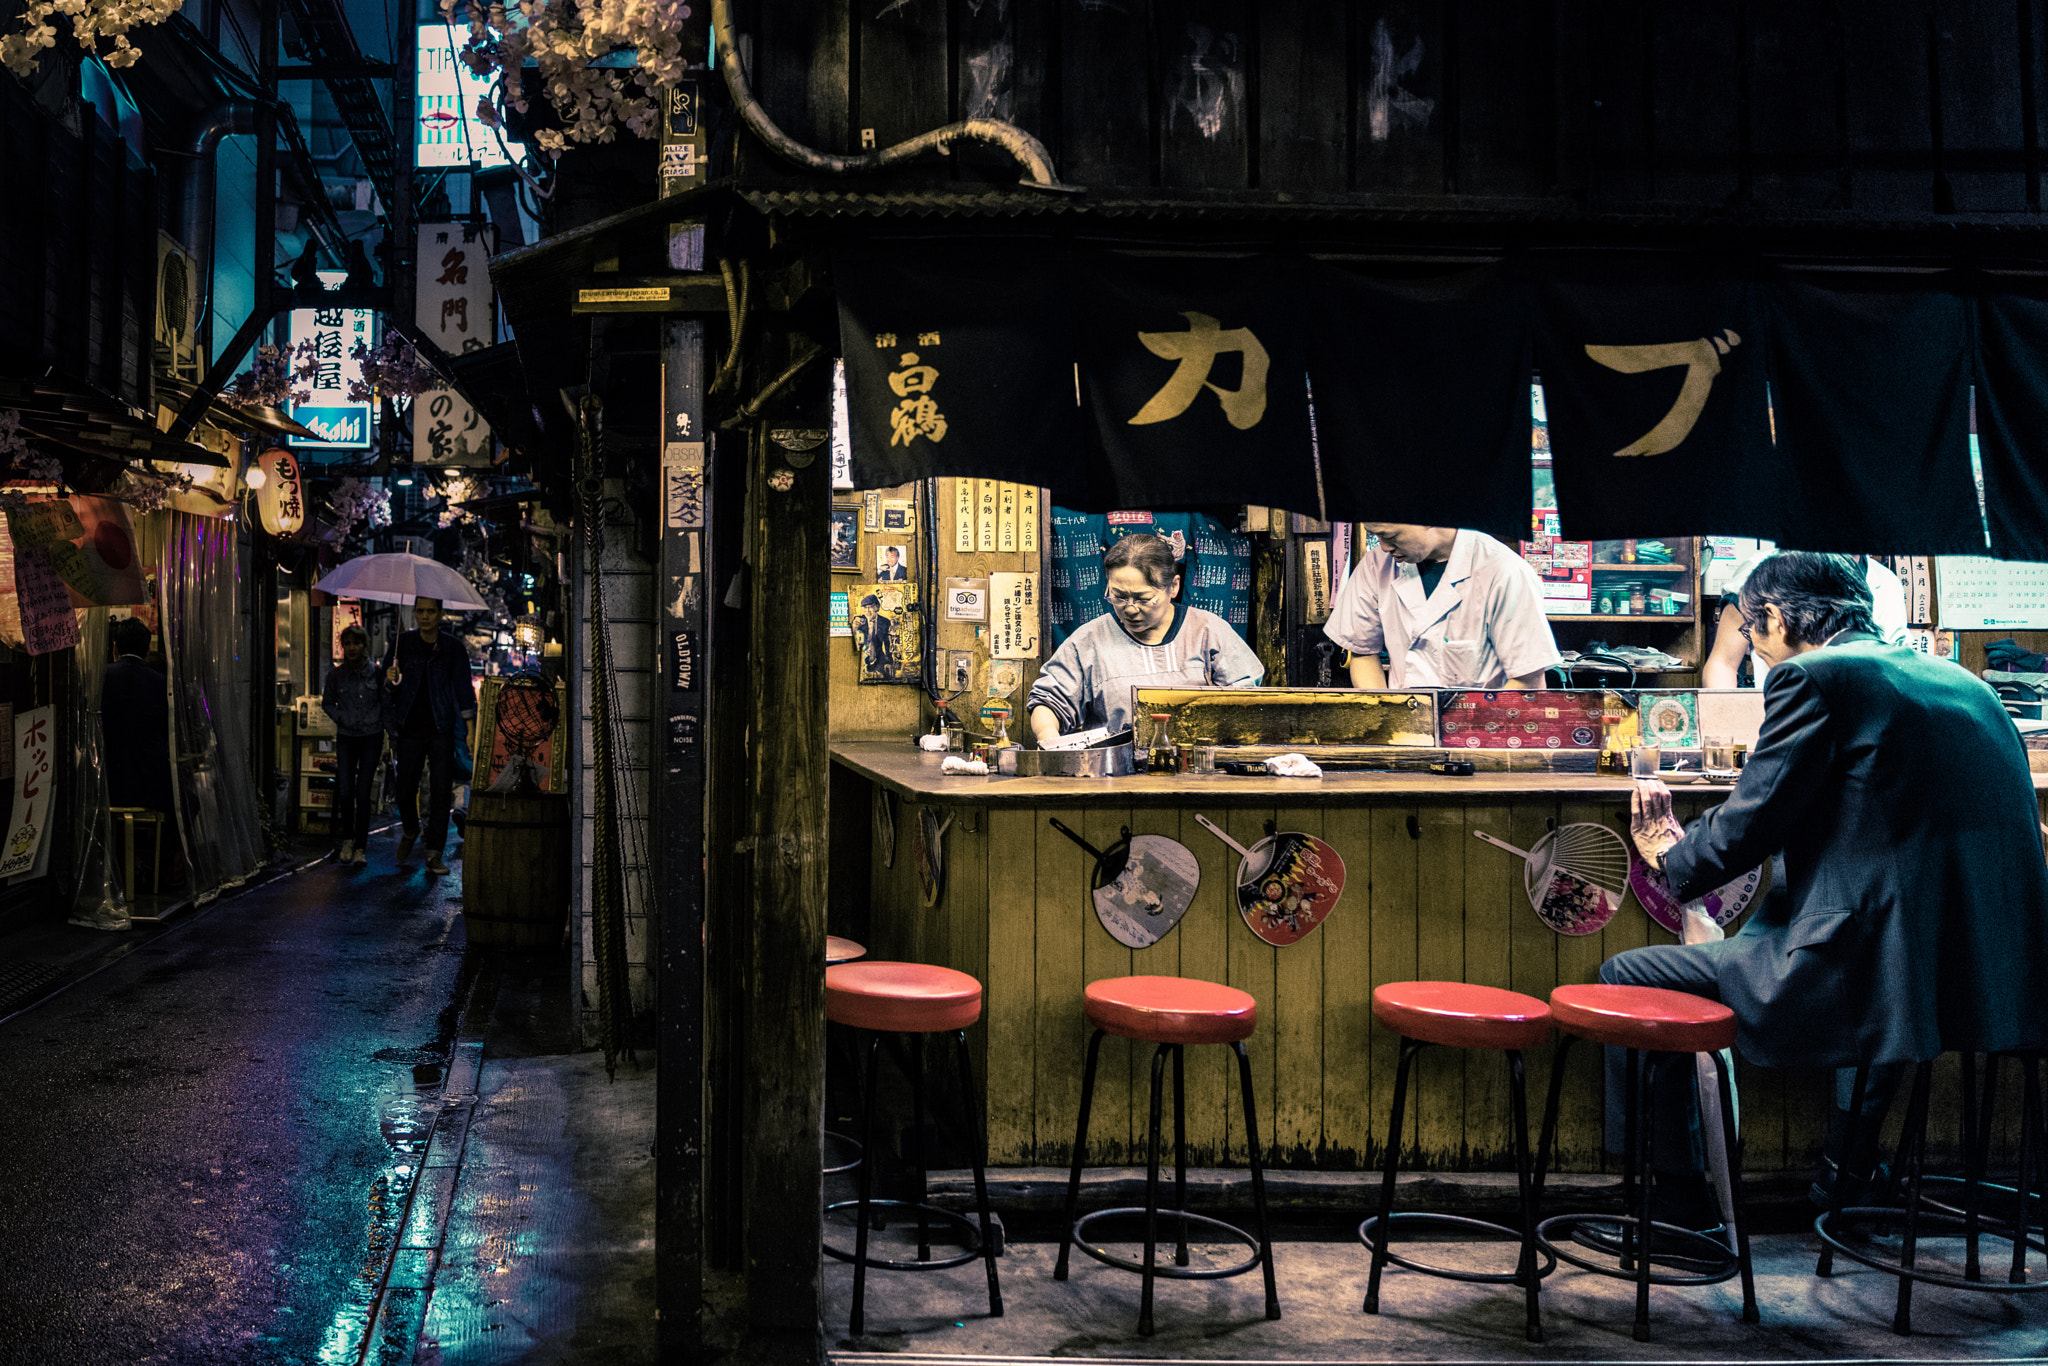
column 1873, row 404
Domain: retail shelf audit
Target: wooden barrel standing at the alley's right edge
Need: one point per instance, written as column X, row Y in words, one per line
column 517, row 869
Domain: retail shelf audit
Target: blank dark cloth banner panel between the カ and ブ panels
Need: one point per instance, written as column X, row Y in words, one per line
column 1422, row 407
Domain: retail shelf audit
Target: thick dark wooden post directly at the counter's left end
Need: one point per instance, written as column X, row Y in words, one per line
column 785, row 1011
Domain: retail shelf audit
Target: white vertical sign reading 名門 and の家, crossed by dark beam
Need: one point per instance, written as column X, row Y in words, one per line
column 454, row 312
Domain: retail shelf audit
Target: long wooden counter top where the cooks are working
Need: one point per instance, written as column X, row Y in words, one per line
column 912, row 773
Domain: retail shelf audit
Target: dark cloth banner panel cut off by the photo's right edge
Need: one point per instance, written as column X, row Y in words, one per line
column 2012, row 407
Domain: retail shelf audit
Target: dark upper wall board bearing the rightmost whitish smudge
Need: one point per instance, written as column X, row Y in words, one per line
column 1398, row 99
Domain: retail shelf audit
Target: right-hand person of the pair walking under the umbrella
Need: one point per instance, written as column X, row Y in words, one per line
column 427, row 697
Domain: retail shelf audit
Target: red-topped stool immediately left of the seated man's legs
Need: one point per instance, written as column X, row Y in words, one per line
column 1668, row 1027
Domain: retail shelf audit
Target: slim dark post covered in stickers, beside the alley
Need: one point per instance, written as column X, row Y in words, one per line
column 685, row 640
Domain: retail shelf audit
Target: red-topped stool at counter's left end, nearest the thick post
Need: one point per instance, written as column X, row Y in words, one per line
column 910, row 998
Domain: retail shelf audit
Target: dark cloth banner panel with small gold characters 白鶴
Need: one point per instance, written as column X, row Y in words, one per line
column 955, row 366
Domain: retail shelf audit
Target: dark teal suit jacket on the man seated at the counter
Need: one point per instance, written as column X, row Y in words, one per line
column 1916, row 904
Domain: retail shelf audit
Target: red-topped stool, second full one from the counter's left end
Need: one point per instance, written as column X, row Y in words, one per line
column 1170, row 1013
